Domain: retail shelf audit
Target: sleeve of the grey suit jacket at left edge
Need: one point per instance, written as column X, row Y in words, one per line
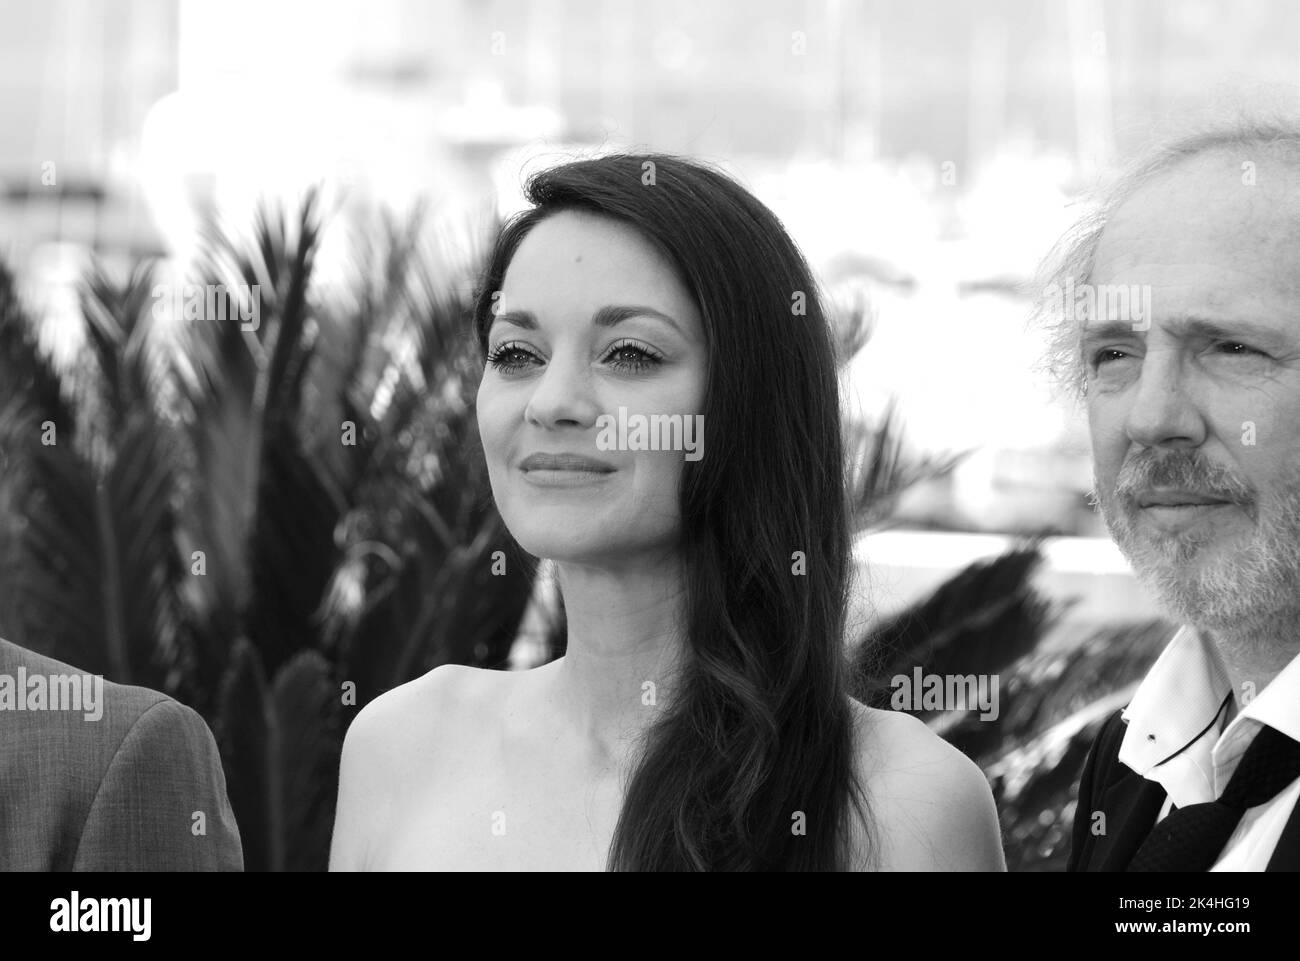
column 162, row 806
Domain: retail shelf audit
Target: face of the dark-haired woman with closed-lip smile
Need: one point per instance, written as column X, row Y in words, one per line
column 591, row 319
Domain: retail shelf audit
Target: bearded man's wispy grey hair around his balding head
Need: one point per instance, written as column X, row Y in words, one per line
column 1249, row 135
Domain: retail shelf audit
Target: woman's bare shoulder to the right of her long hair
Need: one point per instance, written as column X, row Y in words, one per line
column 931, row 808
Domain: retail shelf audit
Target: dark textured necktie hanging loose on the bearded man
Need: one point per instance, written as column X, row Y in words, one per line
column 1190, row 839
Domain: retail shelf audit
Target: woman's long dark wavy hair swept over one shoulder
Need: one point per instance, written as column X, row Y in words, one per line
column 752, row 767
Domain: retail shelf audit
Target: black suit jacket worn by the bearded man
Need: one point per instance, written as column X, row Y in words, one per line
column 1132, row 804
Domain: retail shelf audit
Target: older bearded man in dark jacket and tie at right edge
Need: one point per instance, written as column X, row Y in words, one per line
column 1188, row 358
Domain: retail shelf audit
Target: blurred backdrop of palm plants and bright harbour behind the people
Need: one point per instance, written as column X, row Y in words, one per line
column 223, row 543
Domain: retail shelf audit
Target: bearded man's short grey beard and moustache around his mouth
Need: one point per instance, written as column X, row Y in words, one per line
column 1247, row 588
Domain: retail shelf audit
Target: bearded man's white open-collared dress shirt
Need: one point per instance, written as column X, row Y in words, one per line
column 1173, row 713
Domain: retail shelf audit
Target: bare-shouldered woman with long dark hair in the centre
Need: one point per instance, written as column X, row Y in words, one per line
column 660, row 413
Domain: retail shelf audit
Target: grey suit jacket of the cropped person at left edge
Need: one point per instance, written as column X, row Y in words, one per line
column 111, row 795
